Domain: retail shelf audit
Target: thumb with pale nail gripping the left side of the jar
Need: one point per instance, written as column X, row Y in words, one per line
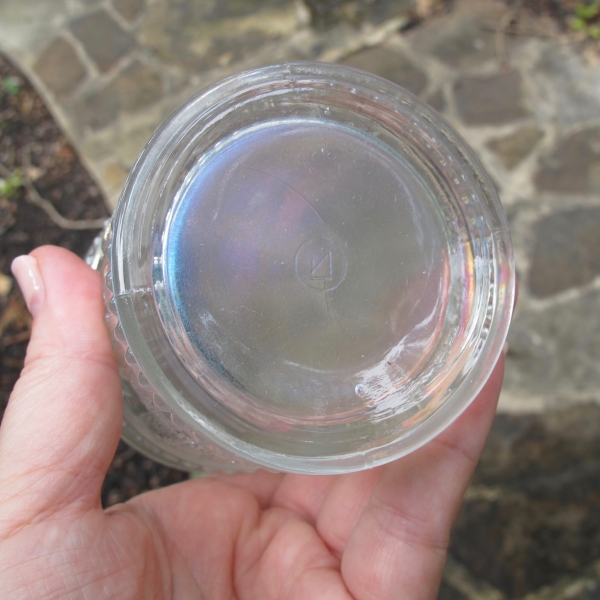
column 63, row 420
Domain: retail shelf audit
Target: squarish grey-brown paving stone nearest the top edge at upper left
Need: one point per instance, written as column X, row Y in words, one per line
column 103, row 38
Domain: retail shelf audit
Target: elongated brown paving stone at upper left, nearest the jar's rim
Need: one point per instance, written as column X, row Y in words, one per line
column 136, row 87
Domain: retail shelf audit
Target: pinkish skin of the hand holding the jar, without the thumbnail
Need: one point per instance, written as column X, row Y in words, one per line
column 373, row 535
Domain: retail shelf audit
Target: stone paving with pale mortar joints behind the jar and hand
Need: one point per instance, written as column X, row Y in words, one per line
column 112, row 70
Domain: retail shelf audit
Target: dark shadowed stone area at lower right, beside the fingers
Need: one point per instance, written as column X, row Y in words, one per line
column 540, row 519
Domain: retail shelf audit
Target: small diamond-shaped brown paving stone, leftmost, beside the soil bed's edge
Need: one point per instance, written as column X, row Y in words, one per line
column 60, row 68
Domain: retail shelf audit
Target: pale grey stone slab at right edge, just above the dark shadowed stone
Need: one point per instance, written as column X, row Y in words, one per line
column 555, row 352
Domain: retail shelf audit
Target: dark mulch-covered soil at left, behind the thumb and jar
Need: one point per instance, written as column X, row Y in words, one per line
column 32, row 144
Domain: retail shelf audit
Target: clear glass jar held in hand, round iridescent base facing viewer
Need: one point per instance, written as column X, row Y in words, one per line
column 308, row 271
